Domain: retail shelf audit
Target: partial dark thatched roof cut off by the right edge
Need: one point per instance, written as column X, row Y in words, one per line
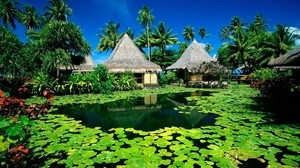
column 290, row 59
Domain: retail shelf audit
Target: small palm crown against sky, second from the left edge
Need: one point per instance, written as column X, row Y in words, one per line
column 30, row 17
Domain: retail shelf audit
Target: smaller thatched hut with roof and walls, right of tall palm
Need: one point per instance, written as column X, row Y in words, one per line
column 188, row 64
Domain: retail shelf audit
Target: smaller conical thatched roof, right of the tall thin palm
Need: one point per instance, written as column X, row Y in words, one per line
column 192, row 58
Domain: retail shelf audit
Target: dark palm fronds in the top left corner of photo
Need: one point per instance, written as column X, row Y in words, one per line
column 9, row 12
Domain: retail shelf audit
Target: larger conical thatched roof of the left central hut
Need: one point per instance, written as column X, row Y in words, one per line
column 127, row 57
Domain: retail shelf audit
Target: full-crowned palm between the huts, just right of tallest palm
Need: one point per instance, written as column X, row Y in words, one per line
column 163, row 37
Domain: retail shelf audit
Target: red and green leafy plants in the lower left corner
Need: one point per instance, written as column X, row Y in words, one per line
column 16, row 126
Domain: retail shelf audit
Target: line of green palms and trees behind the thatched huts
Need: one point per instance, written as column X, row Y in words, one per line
column 54, row 41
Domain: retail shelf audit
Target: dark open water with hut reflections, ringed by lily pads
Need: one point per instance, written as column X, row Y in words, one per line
column 146, row 113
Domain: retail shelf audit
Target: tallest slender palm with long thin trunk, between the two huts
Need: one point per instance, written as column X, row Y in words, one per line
column 146, row 19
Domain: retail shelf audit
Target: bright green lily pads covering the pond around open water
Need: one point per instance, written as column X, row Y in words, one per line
column 242, row 136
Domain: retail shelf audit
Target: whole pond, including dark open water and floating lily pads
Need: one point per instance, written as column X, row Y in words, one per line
column 226, row 128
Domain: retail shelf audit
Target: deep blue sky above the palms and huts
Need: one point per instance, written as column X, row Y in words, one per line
column 213, row 15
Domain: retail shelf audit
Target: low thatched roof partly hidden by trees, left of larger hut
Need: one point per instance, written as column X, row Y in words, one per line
column 87, row 66
